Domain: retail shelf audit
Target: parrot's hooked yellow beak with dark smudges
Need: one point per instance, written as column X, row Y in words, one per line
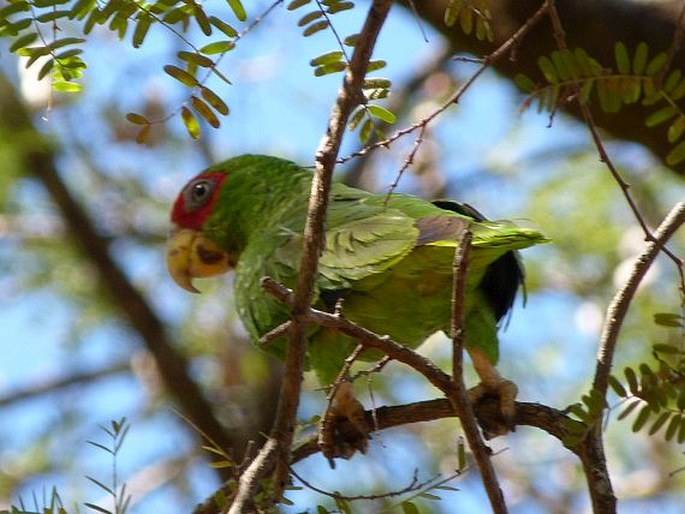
column 190, row 254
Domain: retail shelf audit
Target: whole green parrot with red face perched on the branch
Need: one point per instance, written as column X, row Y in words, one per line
column 387, row 257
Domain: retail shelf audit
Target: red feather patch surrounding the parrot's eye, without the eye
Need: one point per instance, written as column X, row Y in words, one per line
column 190, row 213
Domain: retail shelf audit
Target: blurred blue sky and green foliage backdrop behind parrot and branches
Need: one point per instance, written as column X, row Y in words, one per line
column 72, row 360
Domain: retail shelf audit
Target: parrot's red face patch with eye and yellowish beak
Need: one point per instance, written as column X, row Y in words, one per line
column 190, row 252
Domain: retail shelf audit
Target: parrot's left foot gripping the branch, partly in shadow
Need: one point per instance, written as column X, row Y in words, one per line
column 343, row 429
